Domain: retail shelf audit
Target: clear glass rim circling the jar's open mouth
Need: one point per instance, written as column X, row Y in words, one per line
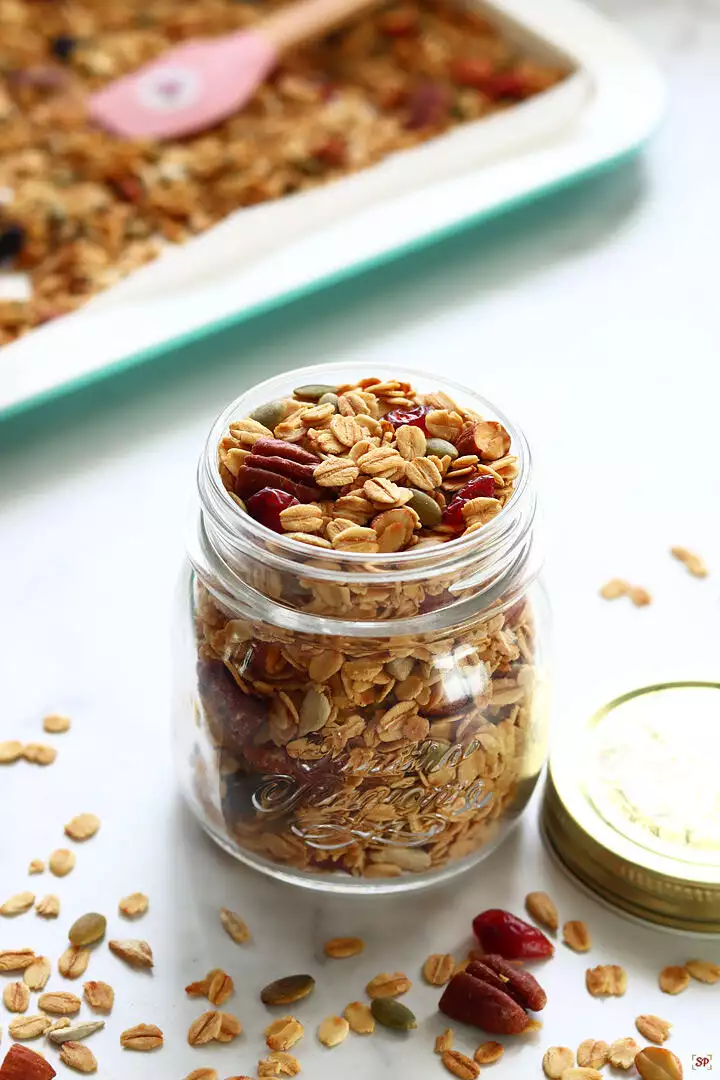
column 233, row 520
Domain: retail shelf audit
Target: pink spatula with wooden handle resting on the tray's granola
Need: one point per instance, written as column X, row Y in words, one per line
column 201, row 83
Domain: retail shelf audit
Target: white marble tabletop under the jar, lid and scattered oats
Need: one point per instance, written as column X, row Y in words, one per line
column 590, row 318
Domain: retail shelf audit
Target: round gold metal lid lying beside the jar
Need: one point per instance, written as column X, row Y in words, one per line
column 633, row 804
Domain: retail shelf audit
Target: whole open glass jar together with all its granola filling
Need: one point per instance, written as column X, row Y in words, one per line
column 365, row 661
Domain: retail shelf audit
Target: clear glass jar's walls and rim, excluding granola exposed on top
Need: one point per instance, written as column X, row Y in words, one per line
column 358, row 722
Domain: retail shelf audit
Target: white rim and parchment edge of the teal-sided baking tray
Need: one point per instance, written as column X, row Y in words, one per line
column 262, row 258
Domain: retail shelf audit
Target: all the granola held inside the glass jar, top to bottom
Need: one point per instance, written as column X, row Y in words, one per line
column 382, row 755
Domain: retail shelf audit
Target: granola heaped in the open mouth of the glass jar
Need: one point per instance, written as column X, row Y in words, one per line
column 371, row 467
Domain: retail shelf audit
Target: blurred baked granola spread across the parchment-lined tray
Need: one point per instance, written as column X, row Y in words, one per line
column 84, row 209
